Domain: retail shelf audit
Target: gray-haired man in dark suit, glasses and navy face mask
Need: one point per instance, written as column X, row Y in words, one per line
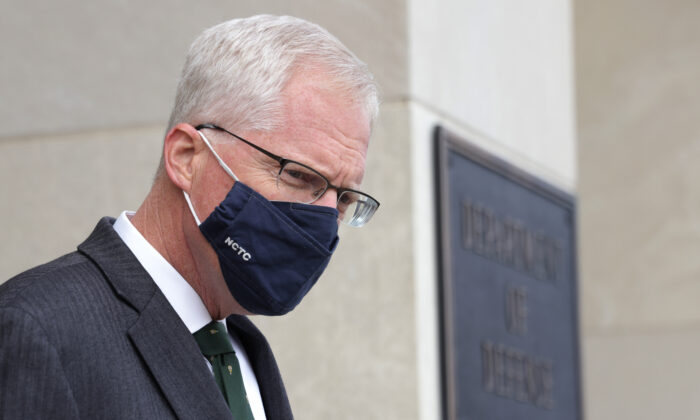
column 262, row 159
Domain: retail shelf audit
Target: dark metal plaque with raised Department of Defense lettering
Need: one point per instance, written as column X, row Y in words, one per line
column 508, row 290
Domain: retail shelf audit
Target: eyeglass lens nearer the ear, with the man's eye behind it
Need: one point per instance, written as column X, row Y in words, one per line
column 300, row 183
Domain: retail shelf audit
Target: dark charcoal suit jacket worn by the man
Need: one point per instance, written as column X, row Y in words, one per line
column 91, row 336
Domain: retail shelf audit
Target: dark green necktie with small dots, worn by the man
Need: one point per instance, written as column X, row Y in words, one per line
column 215, row 345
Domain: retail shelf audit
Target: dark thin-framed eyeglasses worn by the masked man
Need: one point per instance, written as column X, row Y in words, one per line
column 301, row 183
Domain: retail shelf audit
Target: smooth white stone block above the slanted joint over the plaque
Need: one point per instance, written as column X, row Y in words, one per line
column 502, row 72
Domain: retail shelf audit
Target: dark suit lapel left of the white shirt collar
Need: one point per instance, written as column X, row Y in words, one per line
column 159, row 335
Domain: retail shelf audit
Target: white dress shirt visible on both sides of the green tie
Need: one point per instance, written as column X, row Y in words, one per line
column 186, row 302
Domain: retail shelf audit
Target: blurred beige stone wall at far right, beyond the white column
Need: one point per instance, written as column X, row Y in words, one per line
column 639, row 148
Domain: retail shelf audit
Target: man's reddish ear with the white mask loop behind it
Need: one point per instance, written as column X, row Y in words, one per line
column 178, row 155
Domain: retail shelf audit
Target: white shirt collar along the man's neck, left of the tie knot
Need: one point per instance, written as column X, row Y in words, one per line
column 181, row 296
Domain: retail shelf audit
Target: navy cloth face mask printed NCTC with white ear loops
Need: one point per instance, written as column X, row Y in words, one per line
column 271, row 253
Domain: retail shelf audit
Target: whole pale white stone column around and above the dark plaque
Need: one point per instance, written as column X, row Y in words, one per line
column 497, row 73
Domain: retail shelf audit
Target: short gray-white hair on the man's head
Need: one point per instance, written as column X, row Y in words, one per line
column 236, row 71
